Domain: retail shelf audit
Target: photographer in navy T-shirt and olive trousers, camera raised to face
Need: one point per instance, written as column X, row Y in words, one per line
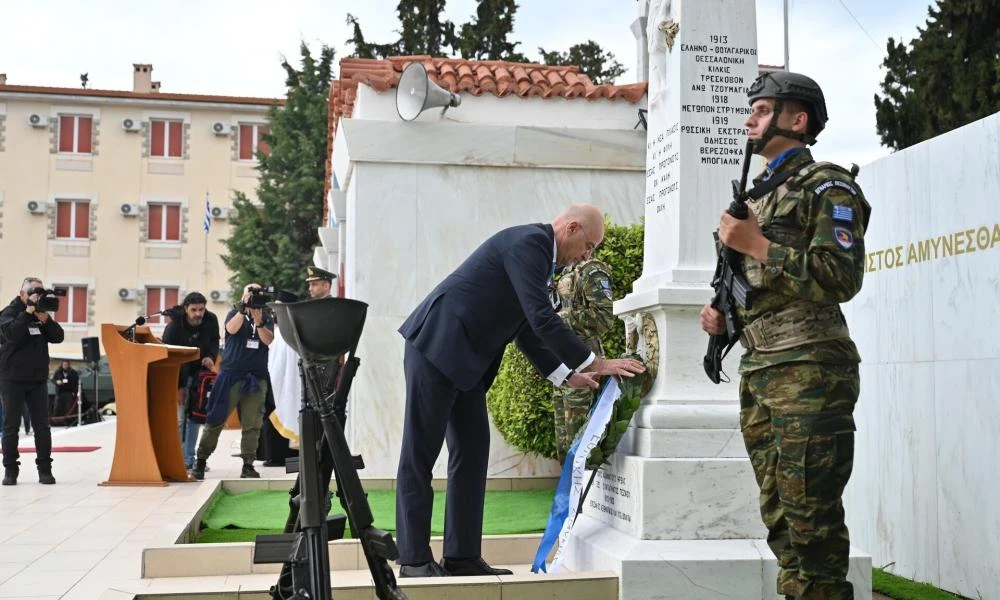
column 242, row 381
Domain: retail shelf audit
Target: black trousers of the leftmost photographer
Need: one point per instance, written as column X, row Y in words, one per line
column 16, row 395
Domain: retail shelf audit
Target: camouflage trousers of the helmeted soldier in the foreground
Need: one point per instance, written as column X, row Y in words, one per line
column 798, row 426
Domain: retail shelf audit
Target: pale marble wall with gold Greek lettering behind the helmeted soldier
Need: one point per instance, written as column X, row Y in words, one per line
column 927, row 323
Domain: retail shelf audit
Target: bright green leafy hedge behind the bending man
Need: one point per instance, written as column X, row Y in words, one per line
column 520, row 400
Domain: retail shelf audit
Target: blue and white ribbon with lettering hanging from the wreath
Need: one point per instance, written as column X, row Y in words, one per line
column 573, row 479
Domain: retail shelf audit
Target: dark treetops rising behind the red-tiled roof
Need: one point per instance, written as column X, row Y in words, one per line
column 486, row 36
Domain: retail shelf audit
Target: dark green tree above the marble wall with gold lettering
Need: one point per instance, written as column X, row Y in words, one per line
column 945, row 78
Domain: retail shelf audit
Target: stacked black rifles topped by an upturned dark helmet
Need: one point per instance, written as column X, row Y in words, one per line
column 321, row 332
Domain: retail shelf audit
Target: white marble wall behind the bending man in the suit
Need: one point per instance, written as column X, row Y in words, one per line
column 409, row 226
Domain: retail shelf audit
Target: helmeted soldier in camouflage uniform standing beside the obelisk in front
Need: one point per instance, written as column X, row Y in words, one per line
column 803, row 255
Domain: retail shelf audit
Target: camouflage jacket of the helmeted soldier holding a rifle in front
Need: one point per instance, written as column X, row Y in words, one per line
column 816, row 222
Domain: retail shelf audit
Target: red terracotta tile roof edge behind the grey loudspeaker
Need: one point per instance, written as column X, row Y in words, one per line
column 475, row 77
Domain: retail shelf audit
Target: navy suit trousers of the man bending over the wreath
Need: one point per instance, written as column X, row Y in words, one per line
column 436, row 411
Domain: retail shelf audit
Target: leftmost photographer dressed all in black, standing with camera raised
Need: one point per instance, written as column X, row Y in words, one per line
column 26, row 330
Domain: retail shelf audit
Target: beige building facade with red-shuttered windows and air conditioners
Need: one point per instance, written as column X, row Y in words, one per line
column 107, row 193
